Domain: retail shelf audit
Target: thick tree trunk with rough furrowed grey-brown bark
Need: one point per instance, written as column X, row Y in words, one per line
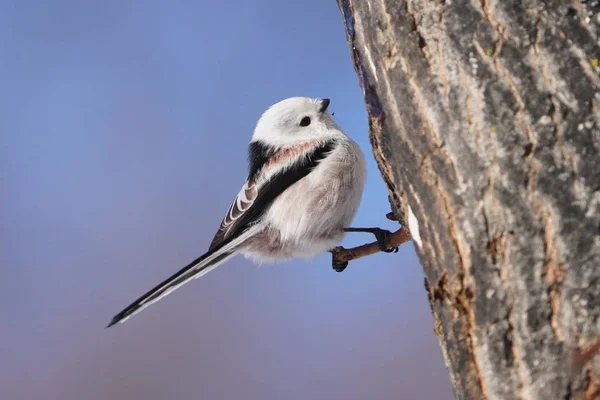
column 484, row 120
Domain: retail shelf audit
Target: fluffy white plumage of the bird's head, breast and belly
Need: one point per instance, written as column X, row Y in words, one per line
column 307, row 219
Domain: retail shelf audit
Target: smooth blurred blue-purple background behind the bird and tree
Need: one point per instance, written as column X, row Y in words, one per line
column 123, row 136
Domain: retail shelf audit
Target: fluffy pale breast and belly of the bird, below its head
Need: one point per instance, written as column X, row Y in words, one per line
column 308, row 218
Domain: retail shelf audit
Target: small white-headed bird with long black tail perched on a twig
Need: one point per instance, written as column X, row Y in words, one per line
column 304, row 186
